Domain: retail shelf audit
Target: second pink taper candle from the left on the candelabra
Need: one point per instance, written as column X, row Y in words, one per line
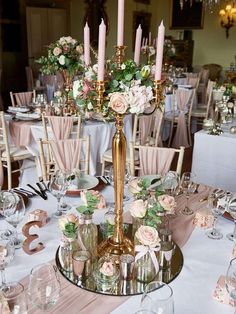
column 101, row 51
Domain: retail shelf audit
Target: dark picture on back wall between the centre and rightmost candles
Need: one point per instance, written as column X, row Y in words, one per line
column 143, row 18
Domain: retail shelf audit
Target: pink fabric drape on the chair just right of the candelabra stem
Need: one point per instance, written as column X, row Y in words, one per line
column 155, row 160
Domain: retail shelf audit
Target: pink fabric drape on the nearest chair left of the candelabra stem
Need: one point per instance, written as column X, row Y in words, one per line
column 66, row 153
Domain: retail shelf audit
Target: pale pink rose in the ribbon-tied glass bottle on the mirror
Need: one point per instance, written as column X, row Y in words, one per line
column 148, row 236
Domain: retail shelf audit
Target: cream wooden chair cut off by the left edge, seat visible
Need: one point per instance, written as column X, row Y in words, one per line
column 10, row 153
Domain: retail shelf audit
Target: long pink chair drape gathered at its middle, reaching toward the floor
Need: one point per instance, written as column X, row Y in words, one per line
column 183, row 97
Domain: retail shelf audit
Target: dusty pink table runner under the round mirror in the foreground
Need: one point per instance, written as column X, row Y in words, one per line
column 74, row 300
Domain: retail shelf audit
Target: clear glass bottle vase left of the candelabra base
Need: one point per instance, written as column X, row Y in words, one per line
column 89, row 235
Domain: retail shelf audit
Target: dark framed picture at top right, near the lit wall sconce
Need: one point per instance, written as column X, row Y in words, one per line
column 190, row 16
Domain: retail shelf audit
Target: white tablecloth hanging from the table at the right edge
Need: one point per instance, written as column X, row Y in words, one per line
column 214, row 160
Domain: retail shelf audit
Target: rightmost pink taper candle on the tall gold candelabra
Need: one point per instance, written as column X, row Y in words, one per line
column 159, row 51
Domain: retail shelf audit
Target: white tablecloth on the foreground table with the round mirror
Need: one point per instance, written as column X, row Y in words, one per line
column 204, row 261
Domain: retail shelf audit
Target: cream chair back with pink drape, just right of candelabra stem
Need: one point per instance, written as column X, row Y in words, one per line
column 154, row 160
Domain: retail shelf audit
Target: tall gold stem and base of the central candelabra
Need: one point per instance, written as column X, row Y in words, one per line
column 118, row 244
